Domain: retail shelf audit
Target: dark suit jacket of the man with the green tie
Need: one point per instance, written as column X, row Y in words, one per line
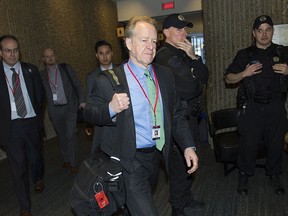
column 97, row 112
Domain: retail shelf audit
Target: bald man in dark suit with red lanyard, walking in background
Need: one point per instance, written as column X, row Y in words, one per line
column 64, row 97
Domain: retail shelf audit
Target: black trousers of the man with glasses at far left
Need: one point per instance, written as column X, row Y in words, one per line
column 24, row 151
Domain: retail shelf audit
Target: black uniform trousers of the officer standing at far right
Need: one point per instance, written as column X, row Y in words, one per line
column 259, row 122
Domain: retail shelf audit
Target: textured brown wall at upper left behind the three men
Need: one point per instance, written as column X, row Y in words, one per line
column 69, row 26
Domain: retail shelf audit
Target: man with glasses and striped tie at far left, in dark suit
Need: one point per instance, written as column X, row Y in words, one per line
column 21, row 128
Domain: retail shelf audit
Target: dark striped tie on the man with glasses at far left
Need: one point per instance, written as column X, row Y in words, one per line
column 18, row 95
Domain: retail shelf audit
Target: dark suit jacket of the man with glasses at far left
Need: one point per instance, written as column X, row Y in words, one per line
column 36, row 94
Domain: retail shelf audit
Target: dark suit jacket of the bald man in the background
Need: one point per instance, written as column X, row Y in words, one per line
column 72, row 88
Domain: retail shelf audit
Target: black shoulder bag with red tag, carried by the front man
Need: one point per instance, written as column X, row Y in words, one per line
column 98, row 187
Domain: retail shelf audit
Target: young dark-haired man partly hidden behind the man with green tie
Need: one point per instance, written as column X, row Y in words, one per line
column 104, row 54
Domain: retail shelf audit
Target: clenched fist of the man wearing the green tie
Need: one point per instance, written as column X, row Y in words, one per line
column 119, row 102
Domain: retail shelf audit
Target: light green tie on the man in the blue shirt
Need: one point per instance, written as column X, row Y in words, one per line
column 159, row 120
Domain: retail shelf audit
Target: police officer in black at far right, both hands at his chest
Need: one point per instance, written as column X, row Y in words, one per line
column 261, row 70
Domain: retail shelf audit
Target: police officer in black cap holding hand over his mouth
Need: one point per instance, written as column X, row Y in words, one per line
column 190, row 75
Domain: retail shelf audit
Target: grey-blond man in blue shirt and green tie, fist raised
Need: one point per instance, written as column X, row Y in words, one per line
column 145, row 132
